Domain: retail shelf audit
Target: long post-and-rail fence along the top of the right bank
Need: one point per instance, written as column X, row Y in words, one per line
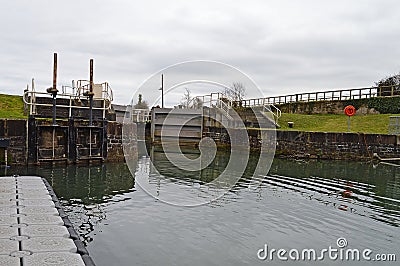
column 348, row 94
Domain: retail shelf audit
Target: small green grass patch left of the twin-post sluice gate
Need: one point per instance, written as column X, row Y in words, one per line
column 11, row 106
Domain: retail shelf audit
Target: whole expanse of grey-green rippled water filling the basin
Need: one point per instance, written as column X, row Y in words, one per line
column 299, row 204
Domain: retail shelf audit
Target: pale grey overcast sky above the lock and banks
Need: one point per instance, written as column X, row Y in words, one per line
column 284, row 46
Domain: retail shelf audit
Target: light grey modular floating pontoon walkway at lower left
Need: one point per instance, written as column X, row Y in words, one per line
column 34, row 230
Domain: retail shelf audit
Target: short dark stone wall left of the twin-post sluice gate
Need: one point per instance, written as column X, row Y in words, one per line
column 15, row 131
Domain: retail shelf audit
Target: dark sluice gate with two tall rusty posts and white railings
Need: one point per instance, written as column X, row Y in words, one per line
column 68, row 126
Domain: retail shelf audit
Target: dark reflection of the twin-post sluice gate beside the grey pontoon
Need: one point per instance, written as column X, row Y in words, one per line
column 85, row 191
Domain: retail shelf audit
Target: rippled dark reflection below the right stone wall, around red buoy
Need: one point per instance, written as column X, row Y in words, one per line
column 355, row 187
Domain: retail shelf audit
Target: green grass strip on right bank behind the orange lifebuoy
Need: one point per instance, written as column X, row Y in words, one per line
column 336, row 123
